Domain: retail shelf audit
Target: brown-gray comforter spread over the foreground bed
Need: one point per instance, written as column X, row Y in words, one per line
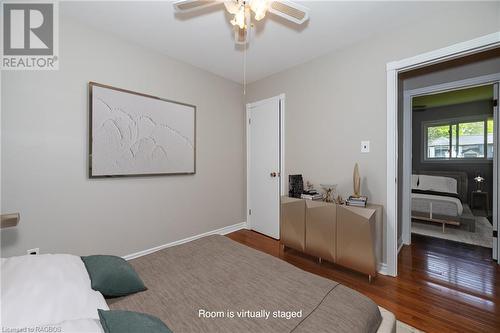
column 217, row 285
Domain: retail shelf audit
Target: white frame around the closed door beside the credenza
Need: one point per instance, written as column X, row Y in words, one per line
column 281, row 102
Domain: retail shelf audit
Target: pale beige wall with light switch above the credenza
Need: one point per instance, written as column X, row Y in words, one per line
column 334, row 102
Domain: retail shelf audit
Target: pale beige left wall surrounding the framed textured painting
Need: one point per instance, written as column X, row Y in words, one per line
column 44, row 153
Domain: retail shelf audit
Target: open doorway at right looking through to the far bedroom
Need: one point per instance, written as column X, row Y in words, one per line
column 447, row 161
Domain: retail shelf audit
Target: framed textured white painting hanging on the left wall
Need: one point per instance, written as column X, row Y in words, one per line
column 134, row 134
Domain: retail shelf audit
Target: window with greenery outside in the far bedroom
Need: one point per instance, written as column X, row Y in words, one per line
column 459, row 139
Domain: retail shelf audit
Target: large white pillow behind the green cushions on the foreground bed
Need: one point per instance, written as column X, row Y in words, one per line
column 46, row 289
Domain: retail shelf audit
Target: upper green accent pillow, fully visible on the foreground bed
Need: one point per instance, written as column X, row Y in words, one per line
column 112, row 276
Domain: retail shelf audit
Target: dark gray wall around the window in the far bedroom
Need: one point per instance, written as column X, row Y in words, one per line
column 485, row 168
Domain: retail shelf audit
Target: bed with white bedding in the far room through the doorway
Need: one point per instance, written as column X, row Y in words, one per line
column 440, row 197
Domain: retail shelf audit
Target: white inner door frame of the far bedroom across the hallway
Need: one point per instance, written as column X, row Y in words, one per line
column 408, row 137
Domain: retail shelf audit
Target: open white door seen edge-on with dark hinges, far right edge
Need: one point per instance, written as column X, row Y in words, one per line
column 496, row 171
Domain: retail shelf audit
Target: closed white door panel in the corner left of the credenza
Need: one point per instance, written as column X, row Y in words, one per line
column 263, row 154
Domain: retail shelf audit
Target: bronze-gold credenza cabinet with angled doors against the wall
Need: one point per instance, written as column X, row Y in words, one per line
column 346, row 235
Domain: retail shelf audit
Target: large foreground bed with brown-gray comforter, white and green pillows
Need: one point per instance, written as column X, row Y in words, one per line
column 212, row 284
